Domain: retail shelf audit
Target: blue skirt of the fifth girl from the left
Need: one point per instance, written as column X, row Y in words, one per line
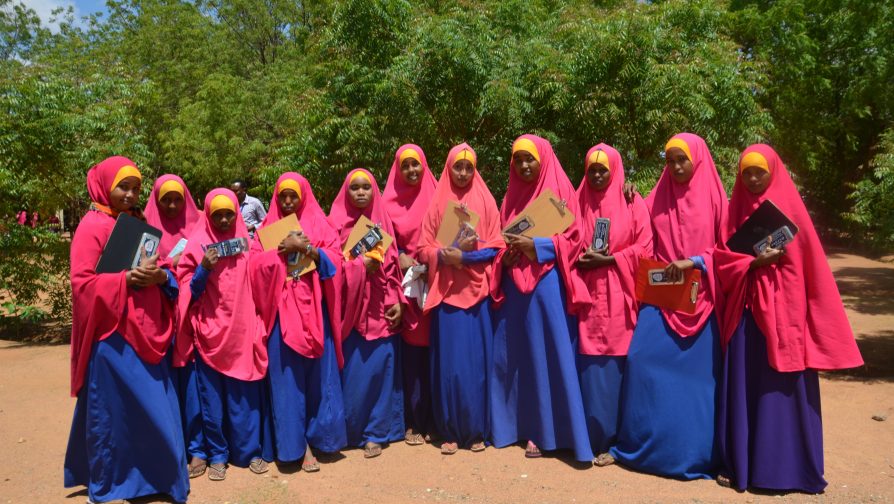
column 373, row 393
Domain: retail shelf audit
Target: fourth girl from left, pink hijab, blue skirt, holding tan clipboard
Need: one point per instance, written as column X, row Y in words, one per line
column 305, row 387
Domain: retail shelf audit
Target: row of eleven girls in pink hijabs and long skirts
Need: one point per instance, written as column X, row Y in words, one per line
column 193, row 362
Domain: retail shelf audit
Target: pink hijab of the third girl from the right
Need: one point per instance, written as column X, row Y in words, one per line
column 606, row 326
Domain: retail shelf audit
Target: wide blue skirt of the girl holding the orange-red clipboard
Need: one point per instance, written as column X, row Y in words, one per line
column 668, row 400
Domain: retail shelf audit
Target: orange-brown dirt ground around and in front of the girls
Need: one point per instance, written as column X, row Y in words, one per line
column 35, row 415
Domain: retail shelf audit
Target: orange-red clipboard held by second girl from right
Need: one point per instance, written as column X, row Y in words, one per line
column 651, row 289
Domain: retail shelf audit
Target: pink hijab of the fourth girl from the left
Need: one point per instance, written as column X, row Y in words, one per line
column 298, row 302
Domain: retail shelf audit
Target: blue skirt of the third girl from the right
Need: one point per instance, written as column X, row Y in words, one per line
column 600, row 384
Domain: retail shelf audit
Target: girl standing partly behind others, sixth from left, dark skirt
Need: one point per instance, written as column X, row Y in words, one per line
column 406, row 197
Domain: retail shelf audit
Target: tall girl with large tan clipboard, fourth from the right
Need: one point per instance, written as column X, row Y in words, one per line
column 534, row 389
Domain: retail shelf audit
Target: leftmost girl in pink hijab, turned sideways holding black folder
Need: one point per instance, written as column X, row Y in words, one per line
column 122, row 325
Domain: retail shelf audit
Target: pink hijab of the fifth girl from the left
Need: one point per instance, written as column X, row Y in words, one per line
column 366, row 298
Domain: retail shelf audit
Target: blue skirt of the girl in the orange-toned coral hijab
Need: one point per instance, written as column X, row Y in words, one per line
column 460, row 358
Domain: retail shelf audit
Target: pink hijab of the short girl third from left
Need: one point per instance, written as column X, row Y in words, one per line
column 222, row 325
